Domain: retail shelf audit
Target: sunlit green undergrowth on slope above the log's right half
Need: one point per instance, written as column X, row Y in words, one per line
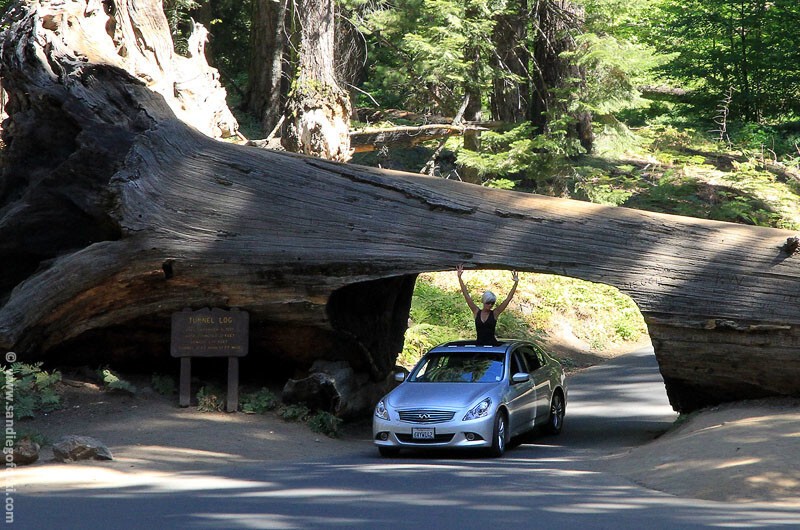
column 683, row 172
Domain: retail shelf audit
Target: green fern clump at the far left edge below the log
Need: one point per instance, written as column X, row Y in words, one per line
column 29, row 389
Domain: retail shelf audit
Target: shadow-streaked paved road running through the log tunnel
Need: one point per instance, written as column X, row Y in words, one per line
column 549, row 483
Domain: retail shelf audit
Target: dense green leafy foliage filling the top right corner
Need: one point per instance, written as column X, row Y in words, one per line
column 748, row 46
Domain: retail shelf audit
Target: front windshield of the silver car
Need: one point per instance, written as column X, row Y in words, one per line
column 459, row 367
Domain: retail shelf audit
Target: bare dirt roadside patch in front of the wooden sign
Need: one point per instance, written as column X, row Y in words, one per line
column 150, row 436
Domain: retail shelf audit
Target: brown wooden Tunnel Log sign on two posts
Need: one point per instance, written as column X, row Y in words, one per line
column 210, row 333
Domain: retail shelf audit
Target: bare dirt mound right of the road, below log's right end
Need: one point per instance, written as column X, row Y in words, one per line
column 738, row 452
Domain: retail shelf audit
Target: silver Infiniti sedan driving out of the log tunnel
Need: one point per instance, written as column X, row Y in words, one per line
column 461, row 395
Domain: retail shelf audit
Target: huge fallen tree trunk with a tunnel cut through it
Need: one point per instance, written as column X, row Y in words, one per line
column 125, row 214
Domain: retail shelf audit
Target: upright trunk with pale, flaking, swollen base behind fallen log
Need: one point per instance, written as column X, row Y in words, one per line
column 318, row 110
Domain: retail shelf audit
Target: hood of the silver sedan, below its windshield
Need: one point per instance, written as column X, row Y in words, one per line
column 439, row 395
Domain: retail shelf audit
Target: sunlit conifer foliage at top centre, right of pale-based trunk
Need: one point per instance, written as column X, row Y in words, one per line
column 419, row 51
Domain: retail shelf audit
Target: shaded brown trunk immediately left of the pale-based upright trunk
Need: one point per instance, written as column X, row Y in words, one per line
column 267, row 38
